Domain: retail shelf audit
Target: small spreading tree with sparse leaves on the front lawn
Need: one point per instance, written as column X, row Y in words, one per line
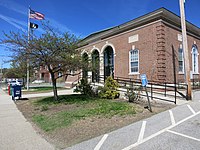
column 57, row 51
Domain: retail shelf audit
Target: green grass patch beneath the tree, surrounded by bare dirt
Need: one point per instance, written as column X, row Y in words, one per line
column 87, row 107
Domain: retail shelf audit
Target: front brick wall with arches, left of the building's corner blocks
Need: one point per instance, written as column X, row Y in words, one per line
column 145, row 45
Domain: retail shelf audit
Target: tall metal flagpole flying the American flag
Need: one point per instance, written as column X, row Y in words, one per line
column 28, row 72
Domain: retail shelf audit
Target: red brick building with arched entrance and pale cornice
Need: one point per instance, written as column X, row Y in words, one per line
column 143, row 46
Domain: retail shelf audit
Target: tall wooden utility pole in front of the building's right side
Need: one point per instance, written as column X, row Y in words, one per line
column 185, row 49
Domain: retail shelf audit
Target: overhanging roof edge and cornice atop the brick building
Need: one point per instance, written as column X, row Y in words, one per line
column 161, row 13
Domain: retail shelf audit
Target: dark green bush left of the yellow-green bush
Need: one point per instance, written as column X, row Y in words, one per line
column 84, row 88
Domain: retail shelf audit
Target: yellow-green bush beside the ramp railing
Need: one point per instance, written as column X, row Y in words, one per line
column 109, row 91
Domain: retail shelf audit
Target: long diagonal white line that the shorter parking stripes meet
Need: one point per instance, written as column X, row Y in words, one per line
column 160, row 132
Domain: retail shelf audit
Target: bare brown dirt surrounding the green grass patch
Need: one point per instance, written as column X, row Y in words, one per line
column 89, row 127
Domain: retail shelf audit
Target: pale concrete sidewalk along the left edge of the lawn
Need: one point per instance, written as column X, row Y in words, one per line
column 16, row 133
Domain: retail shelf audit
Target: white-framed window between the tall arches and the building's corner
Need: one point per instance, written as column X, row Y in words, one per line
column 134, row 61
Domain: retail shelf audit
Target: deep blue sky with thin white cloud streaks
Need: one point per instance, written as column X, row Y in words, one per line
column 82, row 17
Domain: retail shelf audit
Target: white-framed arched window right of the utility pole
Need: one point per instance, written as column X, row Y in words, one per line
column 195, row 63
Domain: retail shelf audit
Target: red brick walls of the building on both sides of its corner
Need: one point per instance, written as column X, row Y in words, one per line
column 154, row 45
